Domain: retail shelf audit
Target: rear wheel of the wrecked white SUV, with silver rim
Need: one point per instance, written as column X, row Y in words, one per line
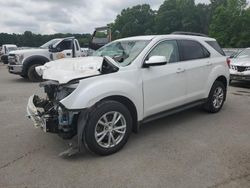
column 216, row 98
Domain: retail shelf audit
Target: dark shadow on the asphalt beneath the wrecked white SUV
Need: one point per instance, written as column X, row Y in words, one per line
column 151, row 129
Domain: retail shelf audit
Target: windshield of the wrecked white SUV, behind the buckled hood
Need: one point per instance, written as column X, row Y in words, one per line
column 123, row 52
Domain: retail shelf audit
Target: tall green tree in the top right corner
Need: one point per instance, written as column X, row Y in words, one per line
column 228, row 23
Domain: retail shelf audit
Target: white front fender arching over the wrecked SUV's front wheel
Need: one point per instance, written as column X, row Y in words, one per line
column 92, row 90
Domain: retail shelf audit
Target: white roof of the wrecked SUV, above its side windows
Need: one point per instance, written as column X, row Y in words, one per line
column 170, row 36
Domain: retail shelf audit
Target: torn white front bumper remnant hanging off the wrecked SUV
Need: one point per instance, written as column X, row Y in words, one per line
column 33, row 114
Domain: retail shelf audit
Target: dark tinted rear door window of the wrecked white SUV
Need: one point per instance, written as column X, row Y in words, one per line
column 192, row 50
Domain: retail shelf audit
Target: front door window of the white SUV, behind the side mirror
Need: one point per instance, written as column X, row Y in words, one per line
column 169, row 49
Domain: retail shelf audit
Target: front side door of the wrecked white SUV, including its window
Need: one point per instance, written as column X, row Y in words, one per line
column 164, row 86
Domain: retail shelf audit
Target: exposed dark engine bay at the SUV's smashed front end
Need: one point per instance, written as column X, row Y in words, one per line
column 57, row 119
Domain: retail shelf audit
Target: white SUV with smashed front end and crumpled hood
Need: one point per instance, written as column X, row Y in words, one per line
column 101, row 99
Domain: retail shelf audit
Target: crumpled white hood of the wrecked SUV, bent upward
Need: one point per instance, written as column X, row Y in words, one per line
column 65, row 70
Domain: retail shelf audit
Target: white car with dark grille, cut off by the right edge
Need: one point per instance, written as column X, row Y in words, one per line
column 240, row 66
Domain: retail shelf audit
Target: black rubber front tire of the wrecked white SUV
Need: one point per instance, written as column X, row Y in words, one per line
column 96, row 114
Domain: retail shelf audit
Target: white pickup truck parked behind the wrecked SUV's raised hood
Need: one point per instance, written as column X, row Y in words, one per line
column 23, row 62
